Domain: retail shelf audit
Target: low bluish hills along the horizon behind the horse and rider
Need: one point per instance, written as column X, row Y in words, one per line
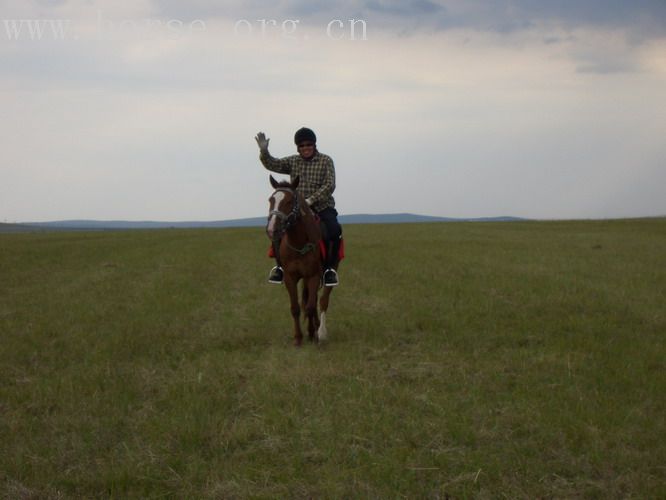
column 93, row 225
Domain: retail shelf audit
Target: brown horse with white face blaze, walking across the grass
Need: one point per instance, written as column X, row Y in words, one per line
column 295, row 234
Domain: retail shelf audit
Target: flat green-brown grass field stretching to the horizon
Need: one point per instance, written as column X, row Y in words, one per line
column 469, row 360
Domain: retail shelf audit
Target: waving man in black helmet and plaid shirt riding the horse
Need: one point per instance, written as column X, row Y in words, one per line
column 316, row 175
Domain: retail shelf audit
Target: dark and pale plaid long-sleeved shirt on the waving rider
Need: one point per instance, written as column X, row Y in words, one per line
column 317, row 176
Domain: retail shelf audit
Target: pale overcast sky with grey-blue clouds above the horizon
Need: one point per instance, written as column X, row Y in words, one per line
column 148, row 110
